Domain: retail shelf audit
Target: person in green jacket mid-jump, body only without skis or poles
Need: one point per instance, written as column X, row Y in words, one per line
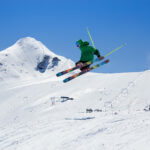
column 87, row 54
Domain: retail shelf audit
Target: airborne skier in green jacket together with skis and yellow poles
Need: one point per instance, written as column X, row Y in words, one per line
column 86, row 59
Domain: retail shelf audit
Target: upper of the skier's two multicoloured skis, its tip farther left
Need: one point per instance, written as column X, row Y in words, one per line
column 77, row 67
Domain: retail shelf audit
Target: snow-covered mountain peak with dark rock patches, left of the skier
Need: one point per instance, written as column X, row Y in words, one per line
column 27, row 57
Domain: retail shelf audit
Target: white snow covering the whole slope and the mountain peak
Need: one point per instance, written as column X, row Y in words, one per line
column 34, row 114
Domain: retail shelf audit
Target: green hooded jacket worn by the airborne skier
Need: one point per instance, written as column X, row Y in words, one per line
column 87, row 52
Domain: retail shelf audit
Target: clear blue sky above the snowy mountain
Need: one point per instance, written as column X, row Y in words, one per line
column 59, row 23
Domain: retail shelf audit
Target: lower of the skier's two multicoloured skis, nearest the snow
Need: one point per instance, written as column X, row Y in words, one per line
column 83, row 72
